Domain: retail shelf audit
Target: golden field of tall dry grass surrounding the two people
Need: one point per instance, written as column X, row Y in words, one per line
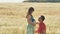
column 13, row 21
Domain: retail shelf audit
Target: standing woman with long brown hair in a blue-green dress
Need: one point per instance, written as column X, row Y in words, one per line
column 31, row 21
